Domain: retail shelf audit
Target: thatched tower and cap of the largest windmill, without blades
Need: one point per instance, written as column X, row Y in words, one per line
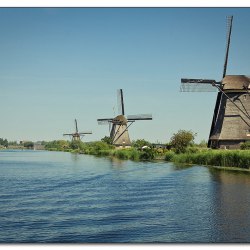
column 231, row 125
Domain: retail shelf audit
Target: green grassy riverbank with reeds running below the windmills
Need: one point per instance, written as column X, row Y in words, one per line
column 193, row 155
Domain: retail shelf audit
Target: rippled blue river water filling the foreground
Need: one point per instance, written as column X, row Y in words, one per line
column 56, row 197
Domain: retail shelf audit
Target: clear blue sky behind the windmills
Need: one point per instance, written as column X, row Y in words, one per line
column 58, row 64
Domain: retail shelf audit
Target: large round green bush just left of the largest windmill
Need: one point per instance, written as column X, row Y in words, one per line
column 181, row 140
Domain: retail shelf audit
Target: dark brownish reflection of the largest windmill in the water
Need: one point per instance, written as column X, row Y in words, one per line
column 231, row 206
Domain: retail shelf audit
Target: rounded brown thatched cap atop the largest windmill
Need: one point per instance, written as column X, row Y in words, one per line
column 236, row 82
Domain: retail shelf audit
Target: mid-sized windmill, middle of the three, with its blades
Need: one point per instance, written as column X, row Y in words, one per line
column 119, row 130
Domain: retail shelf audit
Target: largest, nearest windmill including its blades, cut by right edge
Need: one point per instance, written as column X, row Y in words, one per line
column 231, row 120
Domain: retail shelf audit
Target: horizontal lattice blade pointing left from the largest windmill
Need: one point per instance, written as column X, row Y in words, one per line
column 198, row 85
